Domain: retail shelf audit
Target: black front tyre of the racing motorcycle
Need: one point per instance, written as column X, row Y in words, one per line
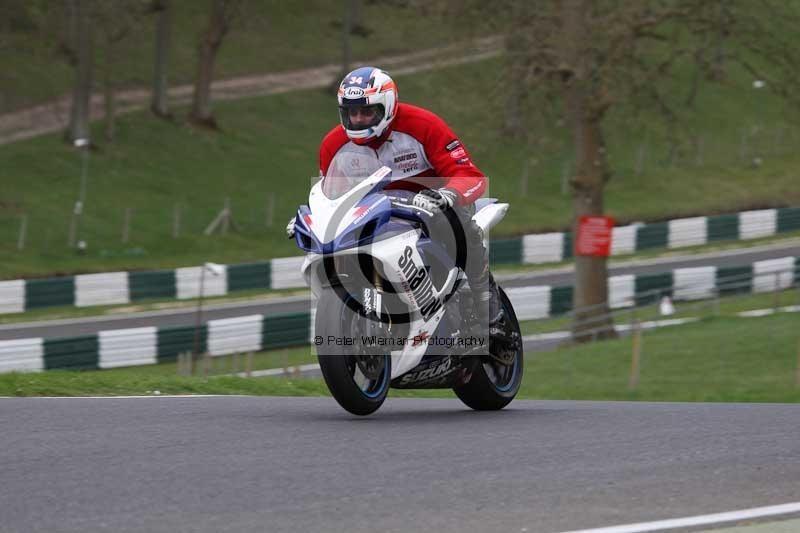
column 339, row 363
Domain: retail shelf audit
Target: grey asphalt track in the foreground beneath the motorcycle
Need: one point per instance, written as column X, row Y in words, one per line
column 210, row 464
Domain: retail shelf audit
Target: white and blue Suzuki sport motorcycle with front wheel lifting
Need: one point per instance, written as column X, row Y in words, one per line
column 394, row 309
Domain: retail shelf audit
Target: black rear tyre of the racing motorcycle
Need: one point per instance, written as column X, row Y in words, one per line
column 485, row 391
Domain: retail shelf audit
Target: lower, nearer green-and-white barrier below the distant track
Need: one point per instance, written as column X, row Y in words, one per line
column 141, row 346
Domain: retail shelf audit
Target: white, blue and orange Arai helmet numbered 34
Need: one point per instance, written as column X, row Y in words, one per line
column 367, row 88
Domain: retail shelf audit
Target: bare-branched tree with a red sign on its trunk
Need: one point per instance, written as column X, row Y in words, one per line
column 590, row 56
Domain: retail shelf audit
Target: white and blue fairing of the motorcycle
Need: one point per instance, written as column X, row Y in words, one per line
column 353, row 215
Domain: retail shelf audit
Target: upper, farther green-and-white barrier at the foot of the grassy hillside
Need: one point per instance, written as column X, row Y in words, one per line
column 17, row 296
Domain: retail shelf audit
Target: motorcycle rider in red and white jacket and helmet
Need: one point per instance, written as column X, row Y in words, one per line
column 415, row 143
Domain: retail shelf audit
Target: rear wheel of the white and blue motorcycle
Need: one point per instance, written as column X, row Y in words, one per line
column 497, row 377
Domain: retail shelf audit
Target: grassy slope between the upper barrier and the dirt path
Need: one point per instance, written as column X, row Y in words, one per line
column 154, row 170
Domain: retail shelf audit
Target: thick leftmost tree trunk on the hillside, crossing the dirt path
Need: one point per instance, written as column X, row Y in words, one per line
column 78, row 127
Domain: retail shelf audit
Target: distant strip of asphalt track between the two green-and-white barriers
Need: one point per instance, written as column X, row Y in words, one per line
column 561, row 276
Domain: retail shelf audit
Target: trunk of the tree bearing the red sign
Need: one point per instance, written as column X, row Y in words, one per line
column 591, row 317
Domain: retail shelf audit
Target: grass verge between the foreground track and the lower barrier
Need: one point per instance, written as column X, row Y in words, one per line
column 721, row 359
